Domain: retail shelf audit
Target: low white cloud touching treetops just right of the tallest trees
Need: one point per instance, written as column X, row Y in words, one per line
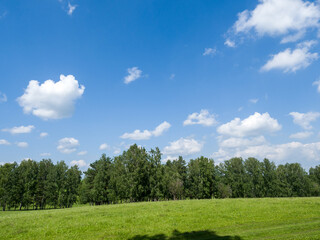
column 183, row 146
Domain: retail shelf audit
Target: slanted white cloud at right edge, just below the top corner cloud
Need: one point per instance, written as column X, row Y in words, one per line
column 291, row 60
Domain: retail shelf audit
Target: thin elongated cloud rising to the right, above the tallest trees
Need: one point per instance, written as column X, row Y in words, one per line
column 146, row 134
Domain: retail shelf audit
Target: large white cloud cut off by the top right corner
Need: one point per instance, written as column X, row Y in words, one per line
column 279, row 17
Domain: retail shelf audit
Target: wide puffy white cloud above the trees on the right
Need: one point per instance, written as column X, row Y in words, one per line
column 254, row 125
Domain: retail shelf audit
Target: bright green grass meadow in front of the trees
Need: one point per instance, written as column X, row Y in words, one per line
column 279, row 218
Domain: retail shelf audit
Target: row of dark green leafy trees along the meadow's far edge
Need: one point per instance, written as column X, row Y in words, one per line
column 139, row 175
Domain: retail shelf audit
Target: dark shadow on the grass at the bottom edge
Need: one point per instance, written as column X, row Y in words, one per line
column 176, row 235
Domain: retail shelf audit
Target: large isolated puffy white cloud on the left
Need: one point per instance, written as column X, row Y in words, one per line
column 51, row 100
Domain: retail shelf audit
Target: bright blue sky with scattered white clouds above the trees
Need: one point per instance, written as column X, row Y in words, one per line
column 214, row 78
